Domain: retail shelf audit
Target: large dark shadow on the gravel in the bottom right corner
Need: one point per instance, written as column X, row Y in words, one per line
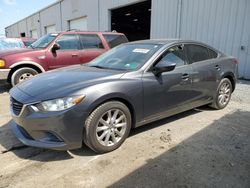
column 217, row 156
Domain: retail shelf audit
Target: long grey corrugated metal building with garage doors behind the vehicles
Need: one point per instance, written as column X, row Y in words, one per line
column 224, row 24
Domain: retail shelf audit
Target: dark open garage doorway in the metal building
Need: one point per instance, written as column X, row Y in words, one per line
column 133, row 20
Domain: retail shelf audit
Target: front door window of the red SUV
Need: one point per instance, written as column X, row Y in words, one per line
column 68, row 42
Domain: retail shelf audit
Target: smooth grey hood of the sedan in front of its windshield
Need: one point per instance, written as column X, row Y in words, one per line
column 63, row 82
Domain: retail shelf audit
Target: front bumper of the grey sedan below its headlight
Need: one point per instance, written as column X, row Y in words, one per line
column 52, row 130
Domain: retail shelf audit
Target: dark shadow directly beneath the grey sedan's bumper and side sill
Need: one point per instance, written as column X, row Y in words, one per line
column 10, row 143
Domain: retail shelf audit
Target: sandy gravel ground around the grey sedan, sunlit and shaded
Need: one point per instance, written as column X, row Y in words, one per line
column 198, row 148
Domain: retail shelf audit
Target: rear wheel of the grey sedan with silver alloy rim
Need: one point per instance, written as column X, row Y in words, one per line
column 223, row 94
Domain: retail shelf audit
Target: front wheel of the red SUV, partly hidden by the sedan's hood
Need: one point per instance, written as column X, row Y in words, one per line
column 22, row 74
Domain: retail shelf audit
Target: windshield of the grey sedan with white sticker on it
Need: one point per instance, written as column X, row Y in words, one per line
column 126, row 57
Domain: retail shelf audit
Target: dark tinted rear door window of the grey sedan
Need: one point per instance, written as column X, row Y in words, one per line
column 197, row 53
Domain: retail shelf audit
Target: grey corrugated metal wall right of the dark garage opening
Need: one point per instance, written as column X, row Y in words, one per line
column 223, row 24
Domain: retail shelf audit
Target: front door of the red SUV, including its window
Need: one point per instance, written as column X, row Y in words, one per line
column 68, row 54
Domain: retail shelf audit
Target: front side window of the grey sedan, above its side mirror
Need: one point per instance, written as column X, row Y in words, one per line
column 174, row 55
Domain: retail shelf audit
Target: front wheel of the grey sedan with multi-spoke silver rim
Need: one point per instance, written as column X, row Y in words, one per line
column 107, row 127
